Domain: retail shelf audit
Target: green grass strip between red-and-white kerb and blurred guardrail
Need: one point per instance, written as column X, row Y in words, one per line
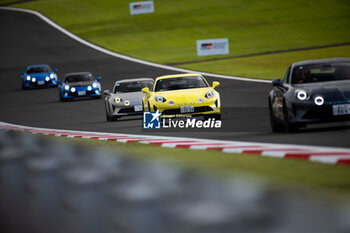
column 332, row 180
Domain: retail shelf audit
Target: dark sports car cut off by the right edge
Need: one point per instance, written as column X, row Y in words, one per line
column 312, row 91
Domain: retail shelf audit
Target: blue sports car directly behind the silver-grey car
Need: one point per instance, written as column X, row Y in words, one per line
column 82, row 84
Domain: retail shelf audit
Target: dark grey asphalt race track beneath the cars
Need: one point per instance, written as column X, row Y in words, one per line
column 25, row 40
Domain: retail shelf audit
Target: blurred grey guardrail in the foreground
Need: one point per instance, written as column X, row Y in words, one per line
column 48, row 186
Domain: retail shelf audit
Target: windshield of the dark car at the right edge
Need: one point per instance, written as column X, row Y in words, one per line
column 321, row 72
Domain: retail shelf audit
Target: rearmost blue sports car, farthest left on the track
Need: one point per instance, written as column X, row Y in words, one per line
column 39, row 76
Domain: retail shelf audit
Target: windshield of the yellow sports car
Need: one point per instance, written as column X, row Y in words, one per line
column 170, row 84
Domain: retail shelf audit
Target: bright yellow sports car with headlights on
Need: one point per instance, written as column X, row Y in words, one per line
column 183, row 94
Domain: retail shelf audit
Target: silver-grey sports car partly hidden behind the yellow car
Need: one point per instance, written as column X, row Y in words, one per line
column 126, row 98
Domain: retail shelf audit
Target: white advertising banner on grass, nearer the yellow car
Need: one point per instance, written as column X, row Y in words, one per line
column 212, row 47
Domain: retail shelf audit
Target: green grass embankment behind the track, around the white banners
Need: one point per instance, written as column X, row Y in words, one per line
column 169, row 34
